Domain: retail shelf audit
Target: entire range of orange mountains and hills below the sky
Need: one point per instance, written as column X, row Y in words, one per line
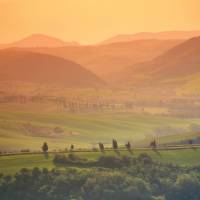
column 142, row 62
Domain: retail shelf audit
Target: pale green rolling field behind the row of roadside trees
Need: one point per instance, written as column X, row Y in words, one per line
column 89, row 129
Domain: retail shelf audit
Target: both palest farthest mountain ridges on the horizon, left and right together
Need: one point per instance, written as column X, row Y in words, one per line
column 41, row 40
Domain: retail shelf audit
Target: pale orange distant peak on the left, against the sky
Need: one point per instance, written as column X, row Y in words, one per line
column 39, row 40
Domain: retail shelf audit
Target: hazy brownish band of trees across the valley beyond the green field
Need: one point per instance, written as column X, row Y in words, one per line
column 68, row 104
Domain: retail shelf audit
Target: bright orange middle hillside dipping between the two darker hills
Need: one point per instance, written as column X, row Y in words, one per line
column 107, row 60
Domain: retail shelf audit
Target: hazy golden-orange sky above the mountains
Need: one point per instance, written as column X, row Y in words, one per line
column 90, row 21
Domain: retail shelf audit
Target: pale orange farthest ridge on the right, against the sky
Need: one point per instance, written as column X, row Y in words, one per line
column 166, row 35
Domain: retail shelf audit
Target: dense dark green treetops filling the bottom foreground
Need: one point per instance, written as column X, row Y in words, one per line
column 144, row 179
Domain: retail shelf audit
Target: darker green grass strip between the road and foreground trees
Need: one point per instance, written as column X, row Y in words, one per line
column 12, row 164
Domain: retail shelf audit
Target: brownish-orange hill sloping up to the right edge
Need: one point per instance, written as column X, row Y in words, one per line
column 179, row 65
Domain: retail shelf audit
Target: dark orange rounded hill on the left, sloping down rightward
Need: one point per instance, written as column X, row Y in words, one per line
column 44, row 69
